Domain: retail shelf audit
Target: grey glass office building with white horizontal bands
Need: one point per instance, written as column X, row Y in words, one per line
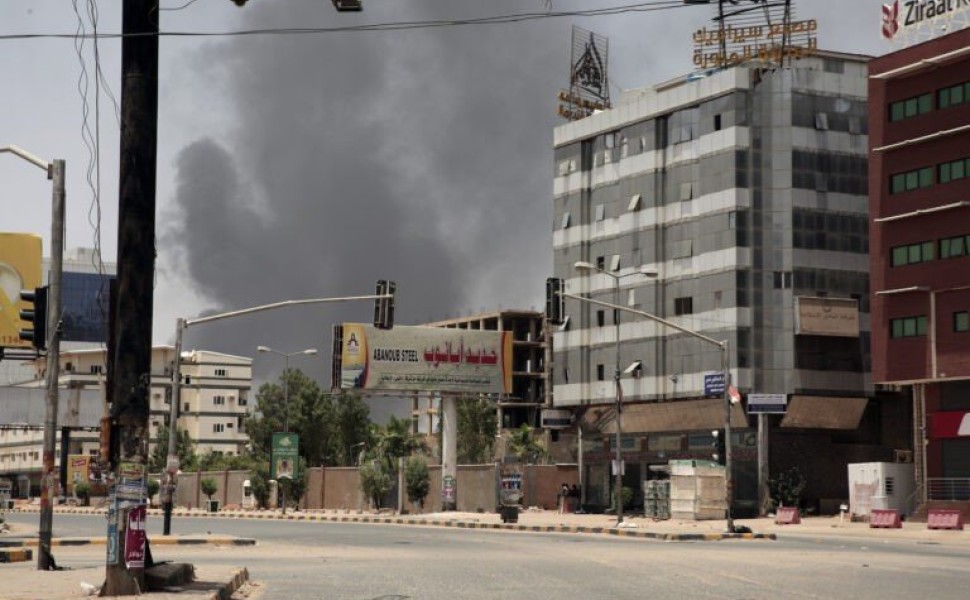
column 744, row 192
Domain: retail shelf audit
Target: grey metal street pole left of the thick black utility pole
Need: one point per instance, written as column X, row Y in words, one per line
column 45, row 560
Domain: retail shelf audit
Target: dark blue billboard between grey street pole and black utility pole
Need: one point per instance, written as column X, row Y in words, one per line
column 85, row 307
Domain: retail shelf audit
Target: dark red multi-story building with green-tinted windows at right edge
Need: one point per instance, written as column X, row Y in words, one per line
column 919, row 181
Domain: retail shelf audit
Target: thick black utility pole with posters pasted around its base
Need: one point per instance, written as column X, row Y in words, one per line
column 132, row 339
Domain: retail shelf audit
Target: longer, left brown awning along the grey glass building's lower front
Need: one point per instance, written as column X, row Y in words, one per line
column 686, row 415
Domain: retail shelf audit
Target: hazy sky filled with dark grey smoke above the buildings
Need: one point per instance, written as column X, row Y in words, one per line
column 310, row 166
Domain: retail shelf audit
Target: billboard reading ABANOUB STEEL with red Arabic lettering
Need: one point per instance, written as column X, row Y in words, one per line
column 424, row 359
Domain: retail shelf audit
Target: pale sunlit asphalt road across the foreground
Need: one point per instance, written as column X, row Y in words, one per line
column 296, row 559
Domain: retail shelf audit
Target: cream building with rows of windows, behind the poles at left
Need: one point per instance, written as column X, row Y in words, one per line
column 214, row 397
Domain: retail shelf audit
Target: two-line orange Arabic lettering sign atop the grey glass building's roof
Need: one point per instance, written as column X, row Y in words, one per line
column 765, row 31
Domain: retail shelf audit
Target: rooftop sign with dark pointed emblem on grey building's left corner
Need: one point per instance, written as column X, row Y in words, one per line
column 589, row 87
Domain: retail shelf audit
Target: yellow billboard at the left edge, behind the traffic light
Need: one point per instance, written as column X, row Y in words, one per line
column 20, row 260
